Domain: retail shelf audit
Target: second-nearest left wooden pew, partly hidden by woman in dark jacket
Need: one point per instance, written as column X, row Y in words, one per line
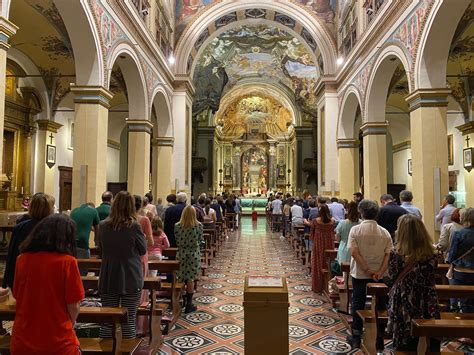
column 154, row 311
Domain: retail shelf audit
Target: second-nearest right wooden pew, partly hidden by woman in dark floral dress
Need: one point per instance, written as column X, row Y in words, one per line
column 377, row 291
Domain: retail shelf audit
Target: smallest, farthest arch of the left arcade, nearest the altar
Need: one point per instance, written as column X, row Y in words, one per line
column 161, row 103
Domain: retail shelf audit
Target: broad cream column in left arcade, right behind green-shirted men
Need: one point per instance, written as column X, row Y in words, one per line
column 89, row 175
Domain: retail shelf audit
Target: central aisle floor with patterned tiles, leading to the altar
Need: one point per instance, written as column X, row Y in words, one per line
column 217, row 326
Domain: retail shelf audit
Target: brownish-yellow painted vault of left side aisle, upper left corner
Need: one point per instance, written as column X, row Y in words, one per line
column 42, row 36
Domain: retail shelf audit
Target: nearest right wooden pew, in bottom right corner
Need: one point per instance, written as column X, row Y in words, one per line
column 440, row 328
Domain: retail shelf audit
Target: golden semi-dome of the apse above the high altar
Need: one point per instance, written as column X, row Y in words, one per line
column 254, row 115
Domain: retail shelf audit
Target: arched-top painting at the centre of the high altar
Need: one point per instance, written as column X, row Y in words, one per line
column 254, row 171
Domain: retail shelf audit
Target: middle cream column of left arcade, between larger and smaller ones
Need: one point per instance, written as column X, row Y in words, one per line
column 138, row 177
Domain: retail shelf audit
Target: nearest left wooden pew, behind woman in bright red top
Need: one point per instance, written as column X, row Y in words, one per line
column 115, row 316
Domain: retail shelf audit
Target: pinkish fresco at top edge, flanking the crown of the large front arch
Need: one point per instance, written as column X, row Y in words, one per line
column 186, row 9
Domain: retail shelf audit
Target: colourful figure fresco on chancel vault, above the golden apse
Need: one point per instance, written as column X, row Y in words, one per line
column 256, row 53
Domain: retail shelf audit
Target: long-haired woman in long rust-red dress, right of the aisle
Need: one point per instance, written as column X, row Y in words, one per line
column 322, row 235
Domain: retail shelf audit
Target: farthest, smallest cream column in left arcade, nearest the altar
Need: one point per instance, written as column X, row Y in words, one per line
column 162, row 165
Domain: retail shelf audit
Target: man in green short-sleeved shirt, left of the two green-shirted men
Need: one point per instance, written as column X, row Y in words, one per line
column 85, row 217
